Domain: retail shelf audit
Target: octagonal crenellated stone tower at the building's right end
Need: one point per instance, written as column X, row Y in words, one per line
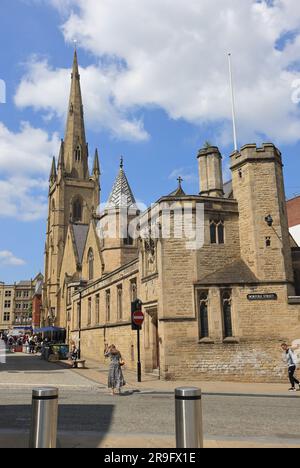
column 258, row 186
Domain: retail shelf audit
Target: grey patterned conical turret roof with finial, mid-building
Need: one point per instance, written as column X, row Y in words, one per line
column 121, row 195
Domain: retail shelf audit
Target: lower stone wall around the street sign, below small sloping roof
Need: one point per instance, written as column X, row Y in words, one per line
column 253, row 354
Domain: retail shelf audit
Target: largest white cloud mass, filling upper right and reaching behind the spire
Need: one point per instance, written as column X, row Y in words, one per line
column 175, row 56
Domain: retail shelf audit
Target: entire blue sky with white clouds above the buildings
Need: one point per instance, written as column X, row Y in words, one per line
column 155, row 88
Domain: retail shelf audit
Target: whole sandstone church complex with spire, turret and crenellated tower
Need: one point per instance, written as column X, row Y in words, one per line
column 218, row 310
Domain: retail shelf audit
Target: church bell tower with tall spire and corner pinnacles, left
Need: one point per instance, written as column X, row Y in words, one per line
column 74, row 194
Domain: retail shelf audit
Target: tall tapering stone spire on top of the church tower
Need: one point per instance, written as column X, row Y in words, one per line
column 75, row 147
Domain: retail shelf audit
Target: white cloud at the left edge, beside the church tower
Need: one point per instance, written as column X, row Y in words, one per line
column 25, row 162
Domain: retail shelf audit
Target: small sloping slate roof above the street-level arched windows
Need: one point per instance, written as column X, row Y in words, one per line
column 235, row 273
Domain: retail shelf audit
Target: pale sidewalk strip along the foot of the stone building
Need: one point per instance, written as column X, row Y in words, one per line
column 97, row 373
